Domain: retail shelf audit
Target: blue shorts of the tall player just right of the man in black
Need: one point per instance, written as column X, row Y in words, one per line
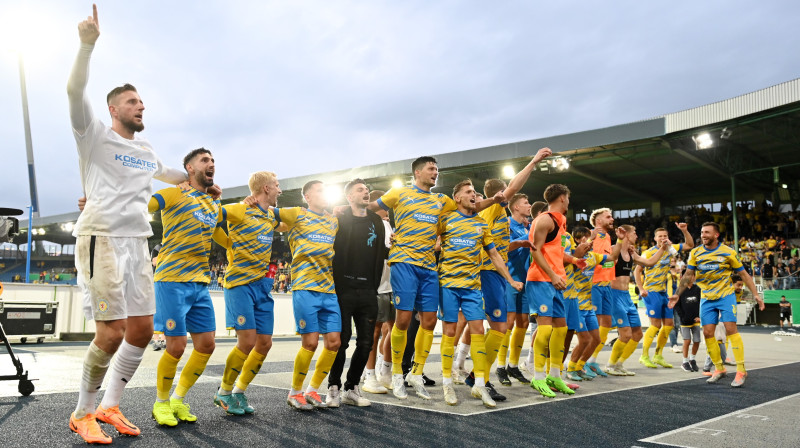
column 414, row 288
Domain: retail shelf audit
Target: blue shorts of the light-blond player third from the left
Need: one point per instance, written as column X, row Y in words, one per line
column 250, row 306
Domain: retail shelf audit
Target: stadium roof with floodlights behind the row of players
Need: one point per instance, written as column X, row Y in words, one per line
column 655, row 163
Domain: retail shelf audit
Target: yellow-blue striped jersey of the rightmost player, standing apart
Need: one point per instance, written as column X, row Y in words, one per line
column 713, row 269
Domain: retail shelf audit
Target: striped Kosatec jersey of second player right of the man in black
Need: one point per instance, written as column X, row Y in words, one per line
column 464, row 238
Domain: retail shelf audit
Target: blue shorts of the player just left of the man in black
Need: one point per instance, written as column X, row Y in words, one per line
column 316, row 312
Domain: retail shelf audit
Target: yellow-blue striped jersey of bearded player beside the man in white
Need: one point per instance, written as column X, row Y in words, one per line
column 189, row 219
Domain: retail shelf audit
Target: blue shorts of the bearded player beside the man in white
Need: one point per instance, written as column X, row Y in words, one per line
column 183, row 307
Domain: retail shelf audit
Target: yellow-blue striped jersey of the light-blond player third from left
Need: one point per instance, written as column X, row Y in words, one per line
column 249, row 243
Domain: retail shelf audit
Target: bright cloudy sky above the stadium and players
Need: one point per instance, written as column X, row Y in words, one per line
column 305, row 87
